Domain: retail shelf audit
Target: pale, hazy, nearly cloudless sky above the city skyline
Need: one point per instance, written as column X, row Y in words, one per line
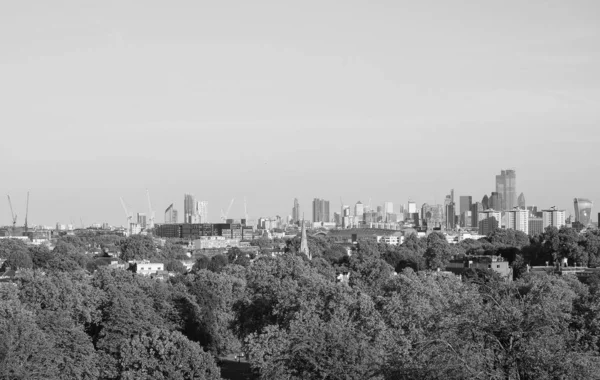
column 275, row 100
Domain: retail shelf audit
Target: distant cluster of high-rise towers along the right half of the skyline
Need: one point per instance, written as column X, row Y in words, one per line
column 503, row 208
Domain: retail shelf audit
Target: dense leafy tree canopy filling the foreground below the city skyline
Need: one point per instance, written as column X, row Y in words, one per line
column 394, row 319
